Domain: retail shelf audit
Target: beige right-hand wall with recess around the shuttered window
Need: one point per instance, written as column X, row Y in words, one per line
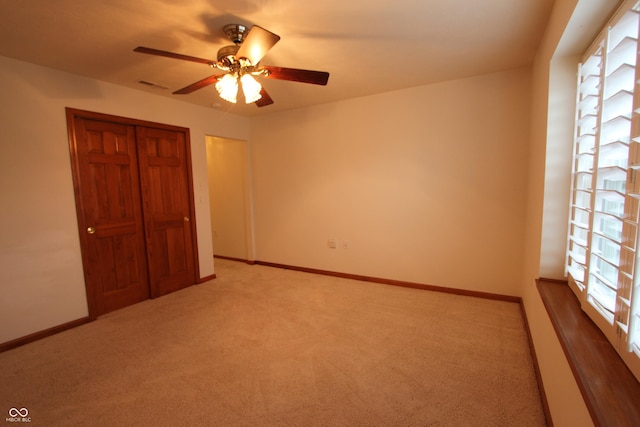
column 572, row 26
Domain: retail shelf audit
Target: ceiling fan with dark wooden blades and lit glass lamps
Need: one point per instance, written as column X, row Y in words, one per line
column 241, row 63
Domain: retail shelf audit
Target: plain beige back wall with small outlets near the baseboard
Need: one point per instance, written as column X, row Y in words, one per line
column 426, row 184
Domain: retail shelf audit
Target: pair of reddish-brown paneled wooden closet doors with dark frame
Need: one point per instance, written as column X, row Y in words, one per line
column 134, row 201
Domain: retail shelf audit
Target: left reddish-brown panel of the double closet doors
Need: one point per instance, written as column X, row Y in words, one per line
column 109, row 214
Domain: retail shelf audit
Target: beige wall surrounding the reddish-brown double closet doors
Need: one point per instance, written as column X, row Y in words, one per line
column 41, row 279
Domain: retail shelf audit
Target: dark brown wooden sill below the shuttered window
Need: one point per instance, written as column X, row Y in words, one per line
column 610, row 391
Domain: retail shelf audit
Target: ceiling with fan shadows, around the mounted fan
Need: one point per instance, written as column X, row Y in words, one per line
column 367, row 47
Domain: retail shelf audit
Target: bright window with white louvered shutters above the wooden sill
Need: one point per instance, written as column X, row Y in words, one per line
column 602, row 251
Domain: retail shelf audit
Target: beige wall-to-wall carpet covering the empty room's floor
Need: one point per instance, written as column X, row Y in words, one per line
column 262, row 346
